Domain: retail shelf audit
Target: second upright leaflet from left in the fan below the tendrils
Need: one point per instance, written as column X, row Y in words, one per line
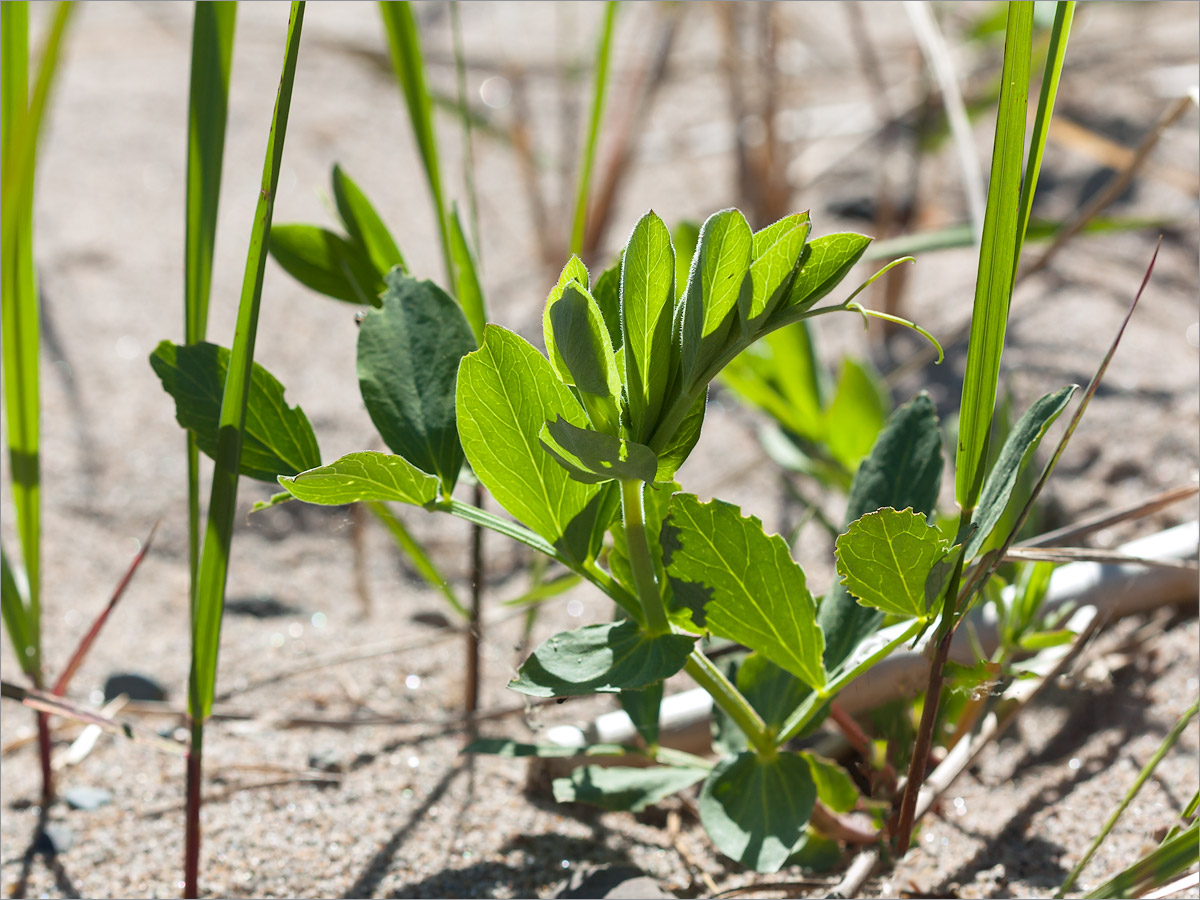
column 718, row 277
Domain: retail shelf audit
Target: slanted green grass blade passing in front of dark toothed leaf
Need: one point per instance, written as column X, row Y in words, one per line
column 219, row 532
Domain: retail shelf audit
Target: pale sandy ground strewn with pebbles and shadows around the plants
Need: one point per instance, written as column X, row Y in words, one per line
column 409, row 817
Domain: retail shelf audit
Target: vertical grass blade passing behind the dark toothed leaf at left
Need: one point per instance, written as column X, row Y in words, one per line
column 208, row 111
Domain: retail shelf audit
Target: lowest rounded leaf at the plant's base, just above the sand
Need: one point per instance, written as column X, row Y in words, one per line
column 755, row 811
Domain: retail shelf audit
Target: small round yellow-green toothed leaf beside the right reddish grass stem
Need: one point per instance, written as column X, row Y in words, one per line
column 885, row 559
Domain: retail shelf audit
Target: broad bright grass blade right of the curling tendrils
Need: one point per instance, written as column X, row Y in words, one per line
column 998, row 256
